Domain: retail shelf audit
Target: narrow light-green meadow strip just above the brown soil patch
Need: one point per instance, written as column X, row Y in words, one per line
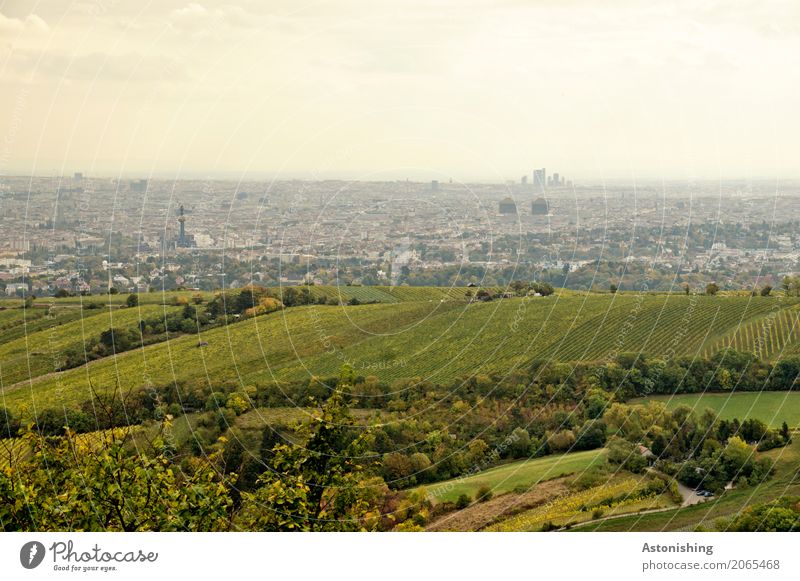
column 507, row 477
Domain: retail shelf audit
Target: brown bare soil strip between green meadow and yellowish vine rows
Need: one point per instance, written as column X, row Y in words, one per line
column 481, row 514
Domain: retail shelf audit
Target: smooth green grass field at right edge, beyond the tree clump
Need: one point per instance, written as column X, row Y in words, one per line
column 771, row 407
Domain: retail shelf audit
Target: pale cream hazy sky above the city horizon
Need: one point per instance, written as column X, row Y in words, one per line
column 450, row 88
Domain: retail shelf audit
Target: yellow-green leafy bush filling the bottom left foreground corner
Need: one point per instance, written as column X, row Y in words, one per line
column 101, row 486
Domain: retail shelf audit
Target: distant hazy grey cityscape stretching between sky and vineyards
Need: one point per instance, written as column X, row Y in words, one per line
column 85, row 235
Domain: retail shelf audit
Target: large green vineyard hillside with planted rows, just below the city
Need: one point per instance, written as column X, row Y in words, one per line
column 439, row 339
